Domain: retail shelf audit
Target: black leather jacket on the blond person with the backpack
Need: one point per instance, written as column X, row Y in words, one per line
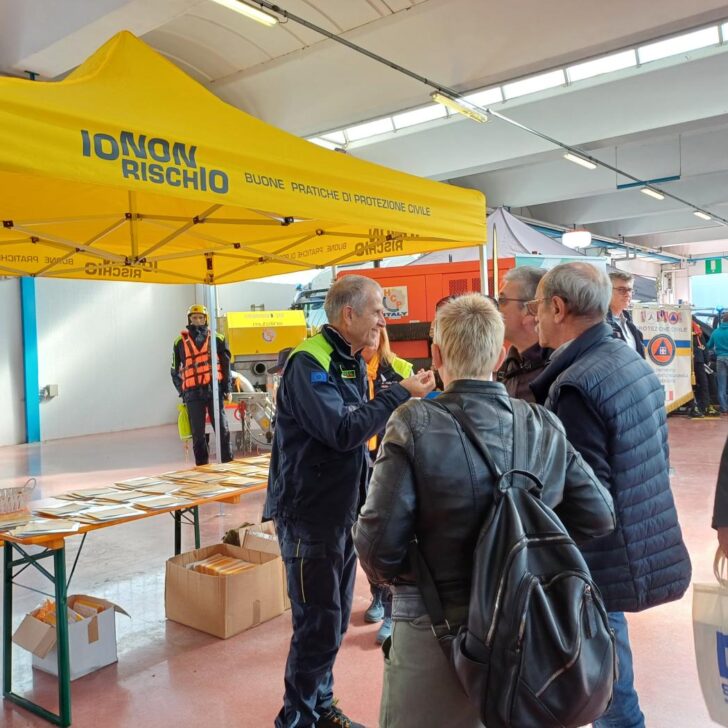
column 430, row 482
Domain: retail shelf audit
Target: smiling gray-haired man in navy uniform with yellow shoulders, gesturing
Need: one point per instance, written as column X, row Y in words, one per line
column 317, row 483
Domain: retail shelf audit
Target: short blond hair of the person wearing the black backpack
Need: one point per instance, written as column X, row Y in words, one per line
column 469, row 331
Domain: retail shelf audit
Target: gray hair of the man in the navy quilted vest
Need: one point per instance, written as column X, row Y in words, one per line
column 586, row 289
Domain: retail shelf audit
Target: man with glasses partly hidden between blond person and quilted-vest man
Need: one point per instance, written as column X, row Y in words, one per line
column 526, row 358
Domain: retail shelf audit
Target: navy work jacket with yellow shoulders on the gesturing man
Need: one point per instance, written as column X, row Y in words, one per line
column 318, row 466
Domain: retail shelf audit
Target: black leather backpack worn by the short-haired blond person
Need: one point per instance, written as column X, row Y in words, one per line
column 536, row 650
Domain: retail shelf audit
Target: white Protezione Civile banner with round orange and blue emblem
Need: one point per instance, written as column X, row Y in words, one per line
column 668, row 349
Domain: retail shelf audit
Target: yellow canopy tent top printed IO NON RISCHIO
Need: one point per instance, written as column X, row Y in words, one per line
column 130, row 170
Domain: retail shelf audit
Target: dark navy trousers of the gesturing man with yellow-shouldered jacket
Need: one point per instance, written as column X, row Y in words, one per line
column 320, row 567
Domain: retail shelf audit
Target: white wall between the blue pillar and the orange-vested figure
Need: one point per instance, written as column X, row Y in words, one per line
column 108, row 347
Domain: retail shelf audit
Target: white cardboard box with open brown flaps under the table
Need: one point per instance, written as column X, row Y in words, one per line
column 91, row 641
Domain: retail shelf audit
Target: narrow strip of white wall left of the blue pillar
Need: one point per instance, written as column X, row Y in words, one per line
column 12, row 422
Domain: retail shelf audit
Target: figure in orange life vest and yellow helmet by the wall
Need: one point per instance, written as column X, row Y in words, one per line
column 191, row 375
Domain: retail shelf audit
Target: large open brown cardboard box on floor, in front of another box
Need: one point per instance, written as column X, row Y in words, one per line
column 224, row 605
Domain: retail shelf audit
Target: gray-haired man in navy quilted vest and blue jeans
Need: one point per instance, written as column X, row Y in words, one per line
column 613, row 409
